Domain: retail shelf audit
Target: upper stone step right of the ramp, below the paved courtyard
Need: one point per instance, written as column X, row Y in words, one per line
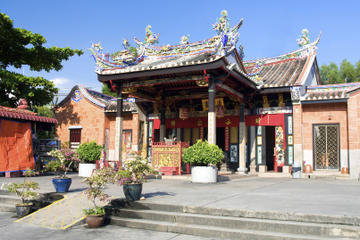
column 271, row 215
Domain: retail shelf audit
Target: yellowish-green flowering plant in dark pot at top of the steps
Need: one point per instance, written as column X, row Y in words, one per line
column 135, row 171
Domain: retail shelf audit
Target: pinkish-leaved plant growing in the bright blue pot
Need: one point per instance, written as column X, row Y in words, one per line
column 65, row 158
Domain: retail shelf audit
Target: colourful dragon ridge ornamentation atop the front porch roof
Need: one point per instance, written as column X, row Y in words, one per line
column 219, row 45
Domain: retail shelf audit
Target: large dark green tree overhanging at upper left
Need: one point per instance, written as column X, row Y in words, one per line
column 19, row 48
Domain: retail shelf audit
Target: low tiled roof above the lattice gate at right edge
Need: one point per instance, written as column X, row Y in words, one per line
column 329, row 92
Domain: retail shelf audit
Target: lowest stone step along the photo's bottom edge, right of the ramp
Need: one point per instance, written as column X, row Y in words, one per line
column 206, row 231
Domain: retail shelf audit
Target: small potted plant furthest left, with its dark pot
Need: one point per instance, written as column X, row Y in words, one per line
column 24, row 191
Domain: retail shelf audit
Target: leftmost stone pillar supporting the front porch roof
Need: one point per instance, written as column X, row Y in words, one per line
column 118, row 126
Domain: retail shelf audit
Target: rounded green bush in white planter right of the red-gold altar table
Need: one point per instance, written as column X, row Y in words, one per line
column 203, row 154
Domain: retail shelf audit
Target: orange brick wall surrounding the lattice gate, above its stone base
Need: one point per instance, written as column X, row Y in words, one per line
column 324, row 113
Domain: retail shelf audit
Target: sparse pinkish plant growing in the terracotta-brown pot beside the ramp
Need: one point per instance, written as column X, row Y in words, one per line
column 96, row 182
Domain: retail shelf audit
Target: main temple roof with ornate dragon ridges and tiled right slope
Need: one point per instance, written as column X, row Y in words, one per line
column 290, row 69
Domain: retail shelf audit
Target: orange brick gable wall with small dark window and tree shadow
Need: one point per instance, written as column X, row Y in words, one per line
column 82, row 113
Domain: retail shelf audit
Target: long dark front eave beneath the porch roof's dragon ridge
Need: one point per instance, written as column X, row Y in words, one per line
column 216, row 64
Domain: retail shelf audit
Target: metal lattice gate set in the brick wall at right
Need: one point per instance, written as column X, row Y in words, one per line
column 326, row 146
